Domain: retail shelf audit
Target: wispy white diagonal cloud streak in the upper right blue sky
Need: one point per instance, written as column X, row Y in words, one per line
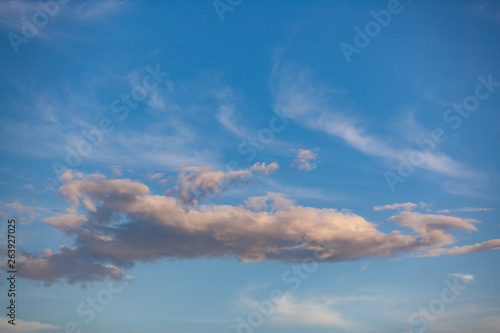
column 321, row 108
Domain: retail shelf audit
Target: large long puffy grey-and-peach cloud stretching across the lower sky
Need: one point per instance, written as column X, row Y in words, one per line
column 126, row 223
